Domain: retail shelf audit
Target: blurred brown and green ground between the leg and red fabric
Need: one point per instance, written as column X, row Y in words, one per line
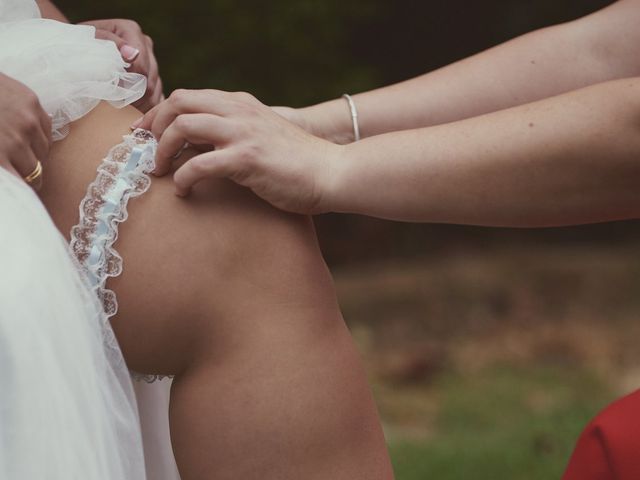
column 488, row 364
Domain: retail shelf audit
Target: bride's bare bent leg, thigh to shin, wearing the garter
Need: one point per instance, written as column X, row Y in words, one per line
column 233, row 298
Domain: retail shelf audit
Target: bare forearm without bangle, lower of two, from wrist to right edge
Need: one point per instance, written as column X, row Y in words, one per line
column 566, row 160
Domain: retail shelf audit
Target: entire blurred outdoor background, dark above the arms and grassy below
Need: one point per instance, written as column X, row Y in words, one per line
column 488, row 349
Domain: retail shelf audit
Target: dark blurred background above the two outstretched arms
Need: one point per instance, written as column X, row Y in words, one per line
column 297, row 52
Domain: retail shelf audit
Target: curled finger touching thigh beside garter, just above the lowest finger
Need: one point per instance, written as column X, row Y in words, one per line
column 197, row 129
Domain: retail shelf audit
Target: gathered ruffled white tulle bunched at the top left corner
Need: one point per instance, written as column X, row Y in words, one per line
column 69, row 70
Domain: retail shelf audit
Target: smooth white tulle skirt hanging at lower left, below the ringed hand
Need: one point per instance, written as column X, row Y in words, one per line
column 67, row 408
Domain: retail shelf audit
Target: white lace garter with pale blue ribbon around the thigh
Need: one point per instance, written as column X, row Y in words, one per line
column 122, row 175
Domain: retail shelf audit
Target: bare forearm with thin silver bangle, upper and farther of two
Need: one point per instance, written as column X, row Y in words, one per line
column 547, row 62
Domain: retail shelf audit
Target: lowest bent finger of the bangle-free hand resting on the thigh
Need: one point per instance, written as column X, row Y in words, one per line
column 216, row 164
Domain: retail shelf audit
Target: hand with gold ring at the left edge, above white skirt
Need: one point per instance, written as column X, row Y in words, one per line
column 25, row 129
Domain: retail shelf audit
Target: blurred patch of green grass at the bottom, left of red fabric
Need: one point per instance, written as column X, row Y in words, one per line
column 504, row 422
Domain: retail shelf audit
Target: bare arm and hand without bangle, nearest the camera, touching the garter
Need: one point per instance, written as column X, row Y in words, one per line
column 568, row 159
